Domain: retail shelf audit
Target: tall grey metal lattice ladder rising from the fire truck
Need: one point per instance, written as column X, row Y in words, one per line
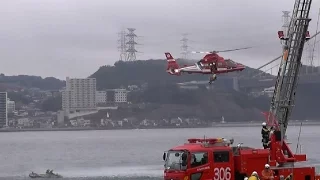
column 285, row 88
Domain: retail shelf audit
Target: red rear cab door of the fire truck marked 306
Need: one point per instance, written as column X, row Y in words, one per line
column 223, row 168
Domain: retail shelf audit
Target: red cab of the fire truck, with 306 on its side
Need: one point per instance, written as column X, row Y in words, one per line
column 199, row 159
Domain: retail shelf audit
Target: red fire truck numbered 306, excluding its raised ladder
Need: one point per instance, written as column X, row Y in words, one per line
column 216, row 159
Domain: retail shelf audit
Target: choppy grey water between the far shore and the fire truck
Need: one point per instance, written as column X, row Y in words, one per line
column 118, row 154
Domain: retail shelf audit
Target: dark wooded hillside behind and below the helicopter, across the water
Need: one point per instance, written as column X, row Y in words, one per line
column 167, row 101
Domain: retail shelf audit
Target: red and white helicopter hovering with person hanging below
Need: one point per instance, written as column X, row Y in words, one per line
column 211, row 63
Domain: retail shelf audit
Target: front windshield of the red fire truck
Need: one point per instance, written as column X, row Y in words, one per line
column 174, row 161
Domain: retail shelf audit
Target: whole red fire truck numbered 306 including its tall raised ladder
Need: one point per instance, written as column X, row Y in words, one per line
column 217, row 159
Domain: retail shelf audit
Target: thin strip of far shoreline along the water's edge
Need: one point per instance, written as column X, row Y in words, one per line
column 229, row 124
